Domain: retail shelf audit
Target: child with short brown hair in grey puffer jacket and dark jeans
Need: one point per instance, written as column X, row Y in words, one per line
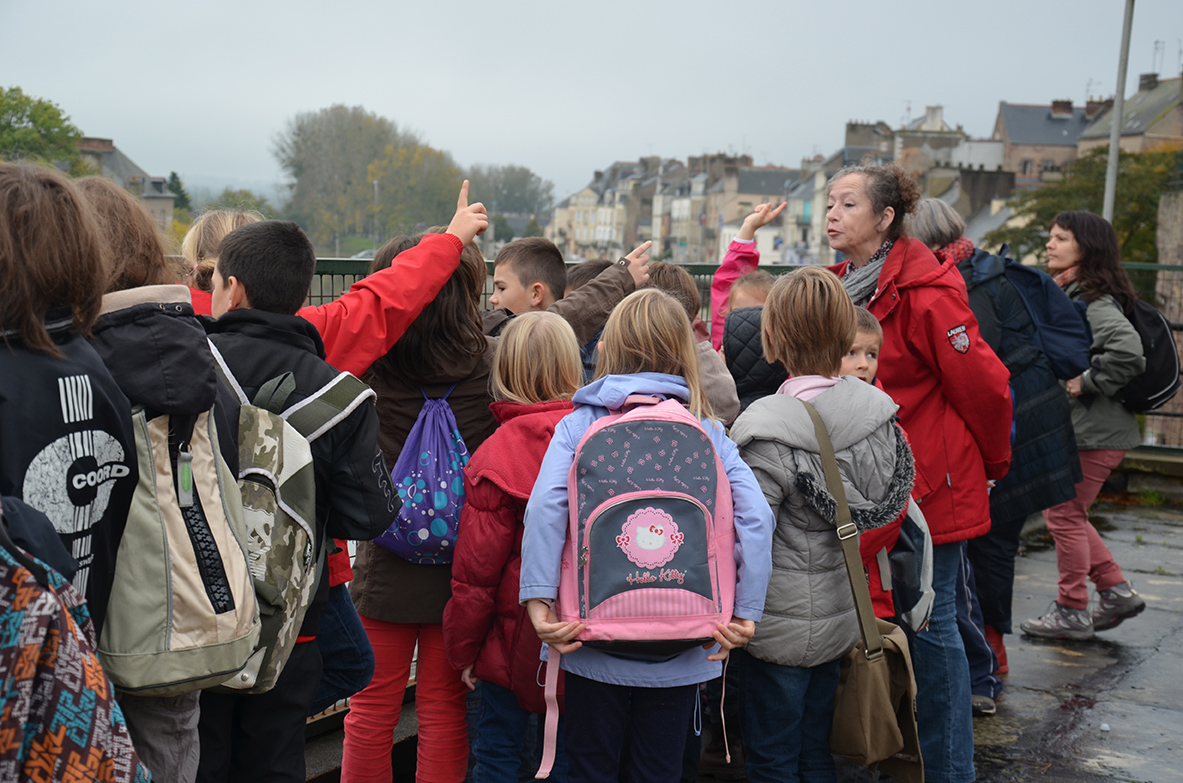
column 791, row 669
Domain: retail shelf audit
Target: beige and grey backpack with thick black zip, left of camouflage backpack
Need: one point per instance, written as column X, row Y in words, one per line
column 183, row 613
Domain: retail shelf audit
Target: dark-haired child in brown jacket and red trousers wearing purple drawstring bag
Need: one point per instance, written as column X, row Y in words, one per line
column 402, row 604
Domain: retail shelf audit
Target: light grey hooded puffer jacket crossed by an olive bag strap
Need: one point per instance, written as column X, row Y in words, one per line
column 810, row 612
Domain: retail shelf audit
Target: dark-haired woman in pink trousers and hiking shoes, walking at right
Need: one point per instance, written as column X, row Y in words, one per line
column 1084, row 256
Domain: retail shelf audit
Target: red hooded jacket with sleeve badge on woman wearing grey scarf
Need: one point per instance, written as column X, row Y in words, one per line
column 952, row 390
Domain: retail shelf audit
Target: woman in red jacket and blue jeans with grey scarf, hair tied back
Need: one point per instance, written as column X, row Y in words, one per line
column 955, row 405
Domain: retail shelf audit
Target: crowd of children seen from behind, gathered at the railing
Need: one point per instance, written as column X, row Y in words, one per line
column 96, row 326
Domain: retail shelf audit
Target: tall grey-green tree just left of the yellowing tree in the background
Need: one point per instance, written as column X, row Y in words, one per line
column 326, row 157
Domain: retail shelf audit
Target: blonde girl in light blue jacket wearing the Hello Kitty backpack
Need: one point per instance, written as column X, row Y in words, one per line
column 648, row 350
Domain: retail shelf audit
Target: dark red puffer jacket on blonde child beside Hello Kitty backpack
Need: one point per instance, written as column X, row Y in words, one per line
column 484, row 625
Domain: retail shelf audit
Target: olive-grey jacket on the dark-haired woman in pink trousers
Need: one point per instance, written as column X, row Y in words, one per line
column 1098, row 419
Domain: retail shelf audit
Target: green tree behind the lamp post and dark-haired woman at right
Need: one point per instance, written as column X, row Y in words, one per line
column 1142, row 178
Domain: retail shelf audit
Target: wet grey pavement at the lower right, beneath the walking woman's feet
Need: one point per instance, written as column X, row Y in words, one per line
column 1103, row 710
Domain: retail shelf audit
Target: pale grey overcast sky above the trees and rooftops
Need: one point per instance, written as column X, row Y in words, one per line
column 565, row 88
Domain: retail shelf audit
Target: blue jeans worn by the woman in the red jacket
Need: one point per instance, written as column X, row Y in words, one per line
column 943, row 711
